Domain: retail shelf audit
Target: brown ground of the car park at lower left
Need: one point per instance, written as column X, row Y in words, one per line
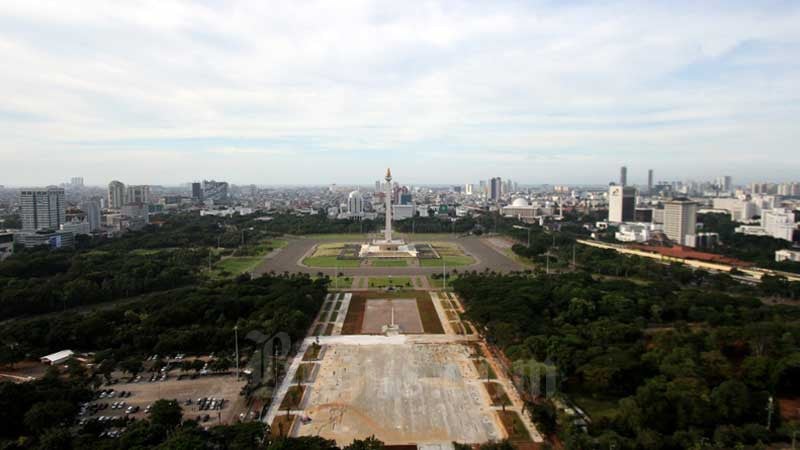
column 145, row 393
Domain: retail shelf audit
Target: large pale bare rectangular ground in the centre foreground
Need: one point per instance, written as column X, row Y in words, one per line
column 422, row 396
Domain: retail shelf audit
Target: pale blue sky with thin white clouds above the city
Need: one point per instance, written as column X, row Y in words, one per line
column 309, row 92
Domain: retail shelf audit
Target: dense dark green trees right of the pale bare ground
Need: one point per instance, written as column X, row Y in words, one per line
column 687, row 363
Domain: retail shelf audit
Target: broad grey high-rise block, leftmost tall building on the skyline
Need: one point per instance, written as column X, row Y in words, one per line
column 42, row 208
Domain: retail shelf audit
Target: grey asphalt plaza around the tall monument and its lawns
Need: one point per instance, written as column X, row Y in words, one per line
column 487, row 257
